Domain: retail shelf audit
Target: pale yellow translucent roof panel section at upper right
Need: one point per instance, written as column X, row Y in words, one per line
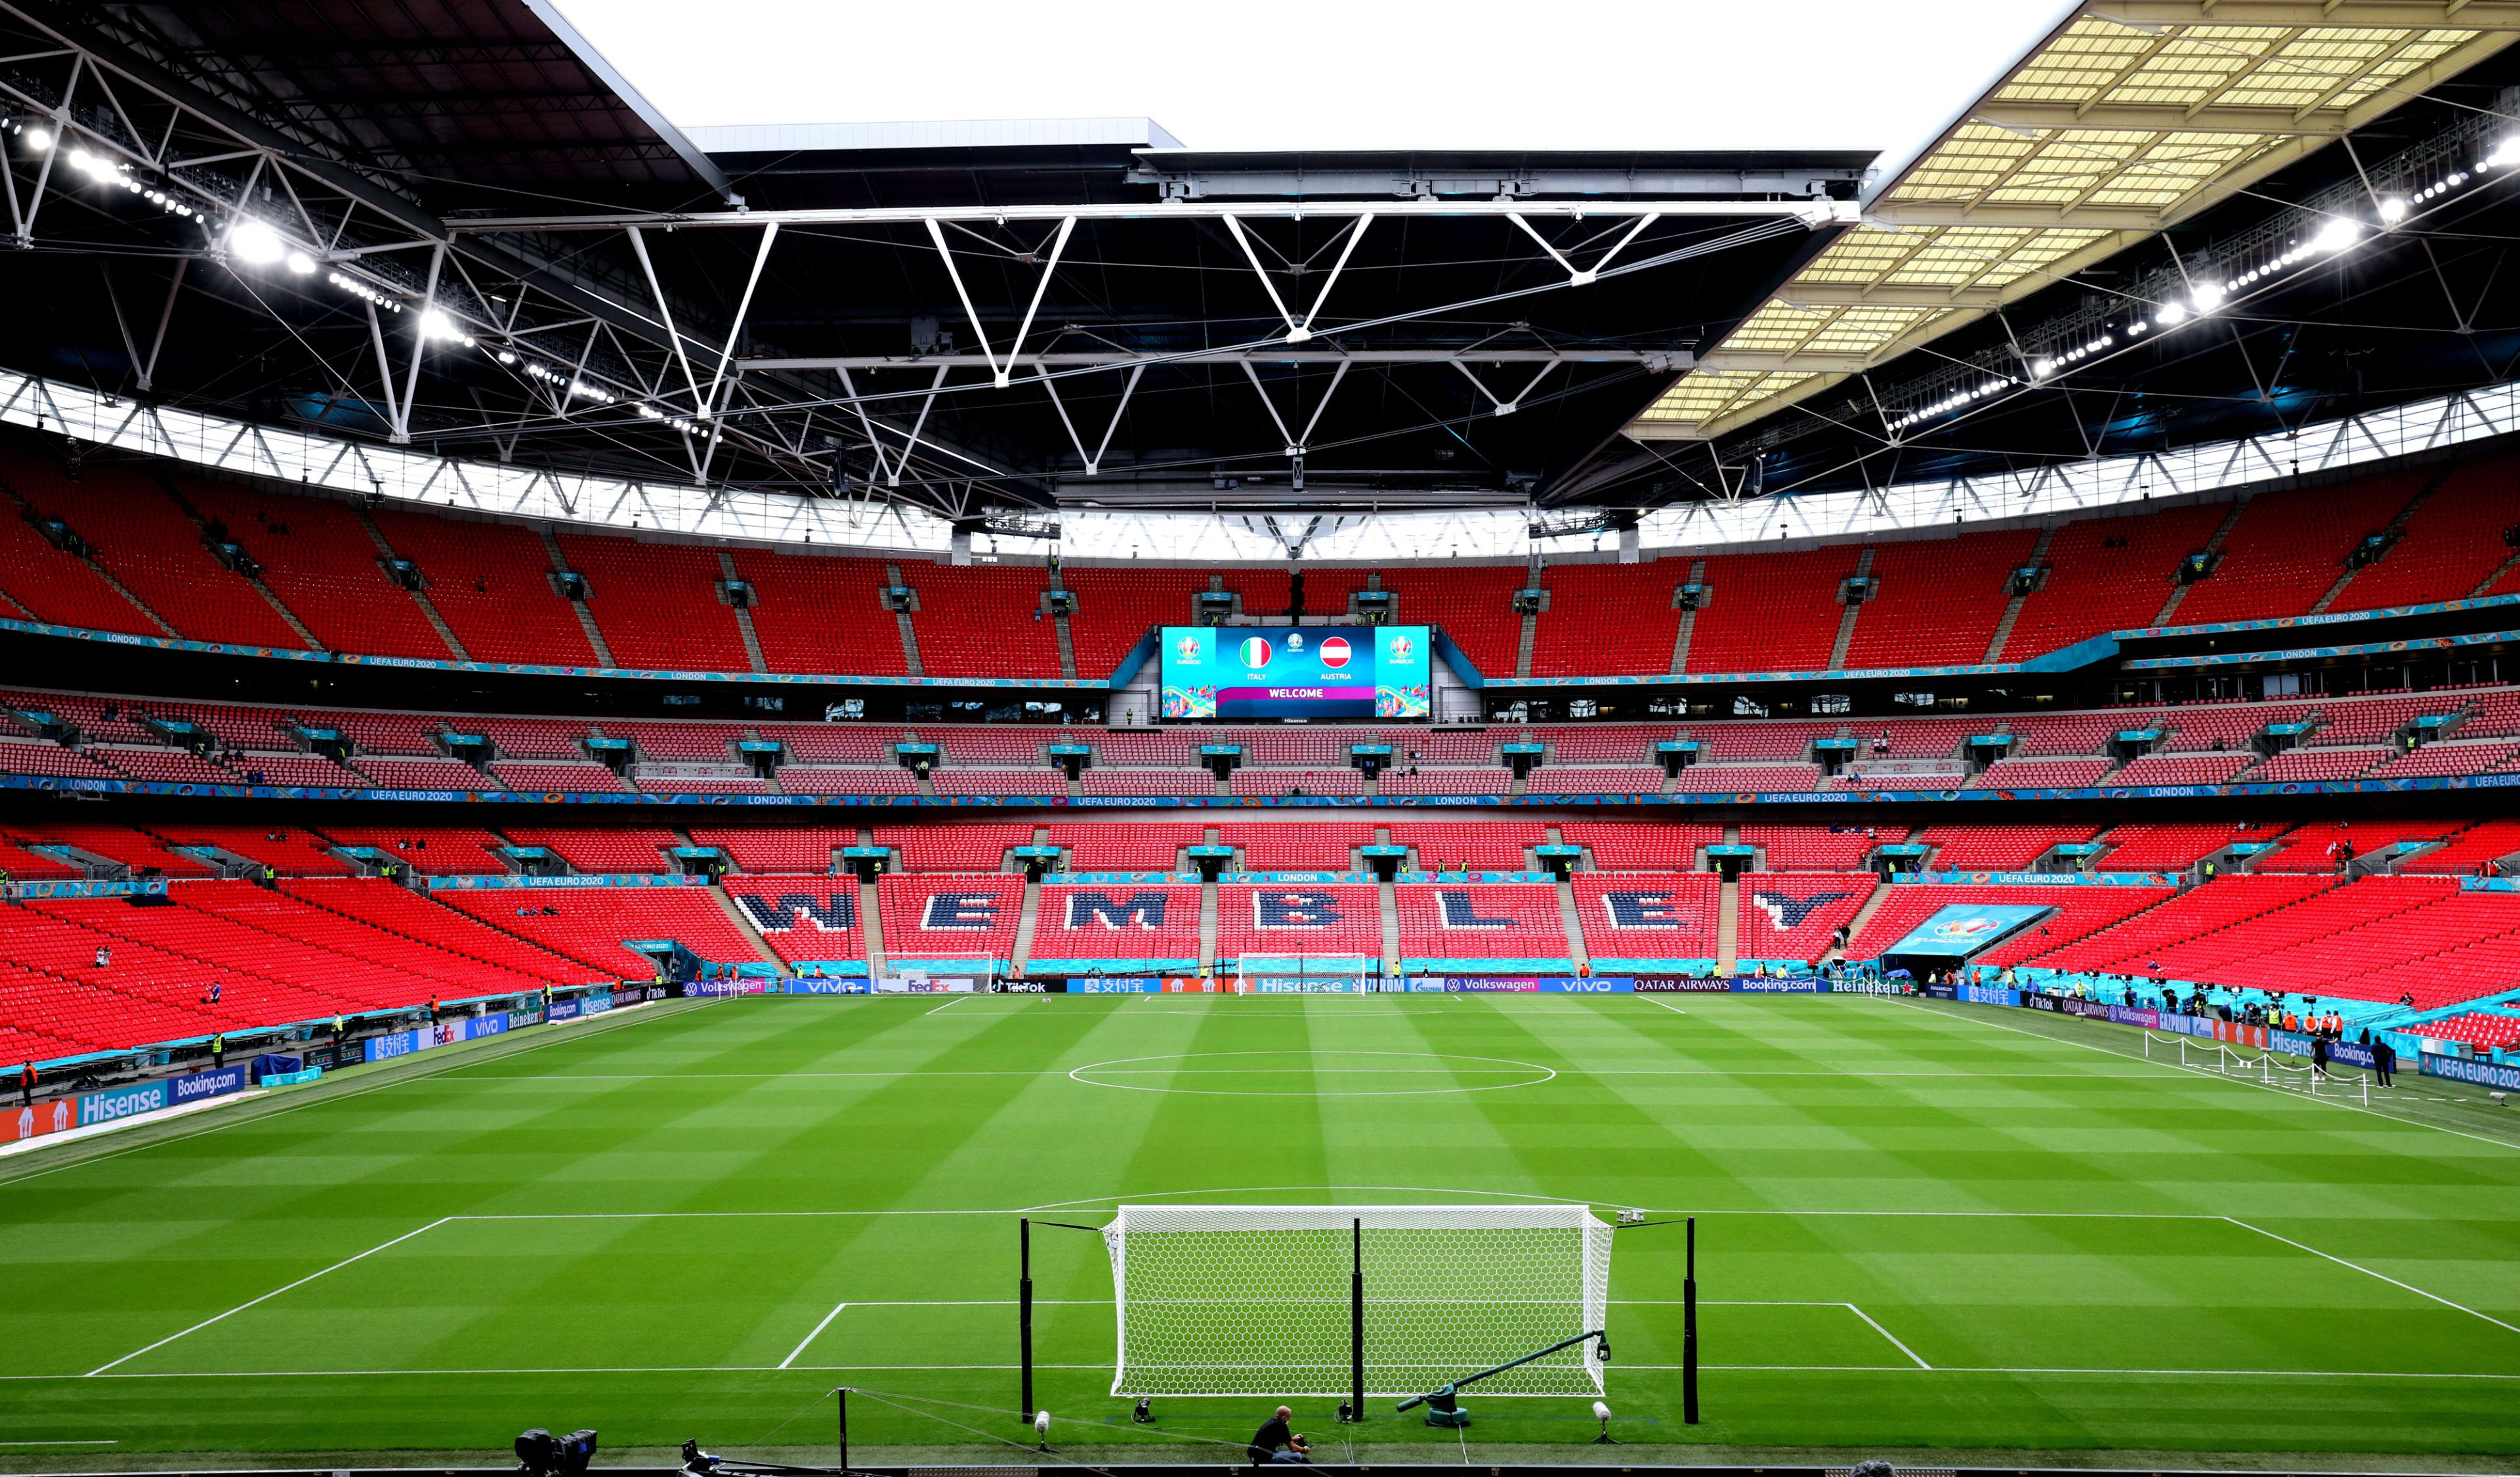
column 2128, row 120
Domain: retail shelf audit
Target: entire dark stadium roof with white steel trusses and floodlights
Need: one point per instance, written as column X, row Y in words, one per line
column 483, row 243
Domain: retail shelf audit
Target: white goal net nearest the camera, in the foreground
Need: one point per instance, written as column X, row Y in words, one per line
column 1254, row 1299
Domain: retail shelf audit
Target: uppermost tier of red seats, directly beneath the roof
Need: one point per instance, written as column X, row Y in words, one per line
column 495, row 591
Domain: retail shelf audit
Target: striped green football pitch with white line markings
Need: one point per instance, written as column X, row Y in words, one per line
column 1919, row 1226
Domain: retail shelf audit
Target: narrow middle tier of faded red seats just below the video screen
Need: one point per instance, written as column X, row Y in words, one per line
column 52, row 735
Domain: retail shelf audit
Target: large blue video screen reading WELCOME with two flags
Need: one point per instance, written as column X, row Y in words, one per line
column 1284, row 672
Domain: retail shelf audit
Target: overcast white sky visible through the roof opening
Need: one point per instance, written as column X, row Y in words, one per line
column 1337, row 74
